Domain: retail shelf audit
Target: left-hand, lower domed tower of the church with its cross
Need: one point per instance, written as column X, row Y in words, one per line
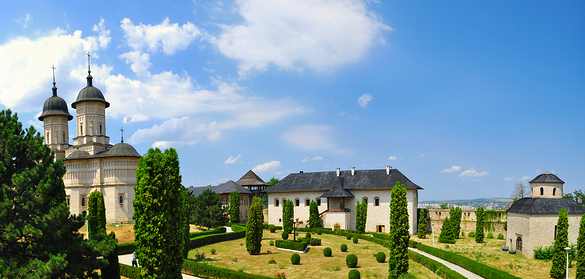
column 55, row 118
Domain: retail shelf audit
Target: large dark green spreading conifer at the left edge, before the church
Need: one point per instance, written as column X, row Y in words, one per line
column 40, row 237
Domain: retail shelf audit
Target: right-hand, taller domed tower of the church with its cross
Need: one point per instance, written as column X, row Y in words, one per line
column 91, row 117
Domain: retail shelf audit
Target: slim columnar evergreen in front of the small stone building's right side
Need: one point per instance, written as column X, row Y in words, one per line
column 561, row 241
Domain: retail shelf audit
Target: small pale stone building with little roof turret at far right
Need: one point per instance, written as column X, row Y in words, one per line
column 532, row 221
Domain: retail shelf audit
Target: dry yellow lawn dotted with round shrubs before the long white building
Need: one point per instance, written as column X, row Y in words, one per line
column 313, row 264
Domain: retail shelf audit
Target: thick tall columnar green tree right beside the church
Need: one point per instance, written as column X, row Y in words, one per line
column 158, row 231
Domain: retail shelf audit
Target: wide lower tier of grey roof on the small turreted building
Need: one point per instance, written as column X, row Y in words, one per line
column 546, row 206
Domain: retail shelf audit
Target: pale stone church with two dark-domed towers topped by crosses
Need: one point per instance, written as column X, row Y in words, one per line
column 92, row 163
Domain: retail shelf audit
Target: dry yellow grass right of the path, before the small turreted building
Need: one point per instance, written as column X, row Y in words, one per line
column 489, row 253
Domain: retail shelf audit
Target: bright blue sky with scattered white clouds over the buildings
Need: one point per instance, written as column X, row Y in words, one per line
column 465, row 98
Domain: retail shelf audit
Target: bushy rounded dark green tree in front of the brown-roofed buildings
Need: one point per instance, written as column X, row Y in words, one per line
column 208, row 210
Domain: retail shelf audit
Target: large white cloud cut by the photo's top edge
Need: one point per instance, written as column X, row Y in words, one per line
column 291, row 34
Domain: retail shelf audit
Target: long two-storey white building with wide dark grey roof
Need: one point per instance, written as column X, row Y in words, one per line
column 336, row 194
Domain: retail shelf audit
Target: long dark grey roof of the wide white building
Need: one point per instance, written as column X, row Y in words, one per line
column 362, row 179
